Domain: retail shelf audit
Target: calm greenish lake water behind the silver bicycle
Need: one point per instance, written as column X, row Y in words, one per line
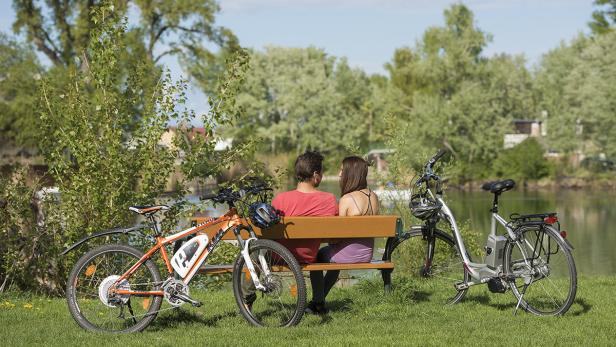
column 589, row 217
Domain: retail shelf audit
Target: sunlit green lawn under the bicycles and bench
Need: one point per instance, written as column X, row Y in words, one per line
column 362, row 315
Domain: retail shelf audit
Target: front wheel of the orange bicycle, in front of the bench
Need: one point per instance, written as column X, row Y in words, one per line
column 283, row 300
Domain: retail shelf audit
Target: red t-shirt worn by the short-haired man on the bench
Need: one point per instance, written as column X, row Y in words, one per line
column 296, row 203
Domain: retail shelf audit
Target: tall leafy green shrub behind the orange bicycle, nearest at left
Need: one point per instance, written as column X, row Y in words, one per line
column 99, row 167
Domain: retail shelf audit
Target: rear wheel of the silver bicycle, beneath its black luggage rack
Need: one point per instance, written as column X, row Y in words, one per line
column 544, row 275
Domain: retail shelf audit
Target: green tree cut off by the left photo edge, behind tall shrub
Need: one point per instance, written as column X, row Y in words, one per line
column 19, row 74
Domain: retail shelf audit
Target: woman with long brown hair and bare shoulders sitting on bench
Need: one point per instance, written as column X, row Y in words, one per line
column 356, row 200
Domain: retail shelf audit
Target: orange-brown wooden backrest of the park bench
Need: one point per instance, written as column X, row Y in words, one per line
column 323, row 228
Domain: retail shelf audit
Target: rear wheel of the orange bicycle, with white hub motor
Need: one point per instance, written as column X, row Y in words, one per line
column 87, row 291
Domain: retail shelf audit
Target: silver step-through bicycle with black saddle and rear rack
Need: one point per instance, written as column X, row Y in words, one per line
column 532, row 257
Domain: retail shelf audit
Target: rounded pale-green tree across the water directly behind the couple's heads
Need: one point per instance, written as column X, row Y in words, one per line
column 301, row 98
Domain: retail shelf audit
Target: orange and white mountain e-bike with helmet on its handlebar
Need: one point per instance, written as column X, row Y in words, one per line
column 118, row 288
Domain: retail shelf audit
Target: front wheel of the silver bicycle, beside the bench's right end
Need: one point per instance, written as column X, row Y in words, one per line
column 409, row 255
